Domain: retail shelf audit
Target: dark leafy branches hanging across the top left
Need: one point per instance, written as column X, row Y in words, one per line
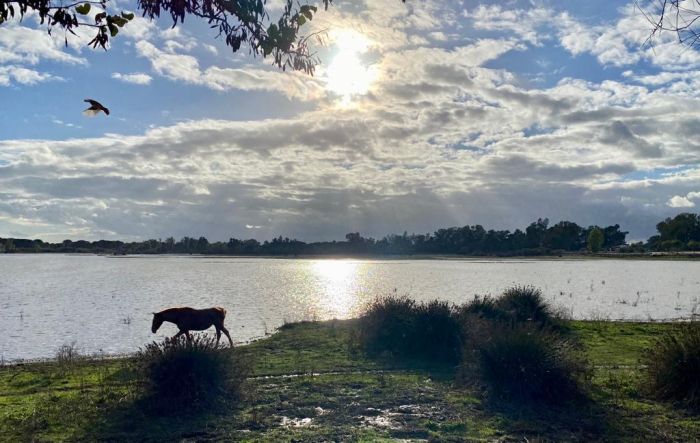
column 239, row 22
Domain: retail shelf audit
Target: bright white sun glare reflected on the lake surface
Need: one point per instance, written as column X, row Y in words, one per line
column 338, row 282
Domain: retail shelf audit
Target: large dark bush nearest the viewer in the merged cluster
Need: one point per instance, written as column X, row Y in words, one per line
column 531, row 365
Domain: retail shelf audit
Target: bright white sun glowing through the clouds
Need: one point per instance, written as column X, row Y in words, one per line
column 347, row 75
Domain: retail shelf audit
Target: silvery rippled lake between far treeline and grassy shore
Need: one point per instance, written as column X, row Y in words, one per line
column 104, row 304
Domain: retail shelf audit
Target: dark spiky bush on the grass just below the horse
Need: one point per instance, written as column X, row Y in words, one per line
column 181, row 376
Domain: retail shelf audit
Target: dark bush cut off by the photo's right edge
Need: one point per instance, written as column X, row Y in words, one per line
column 673, row 366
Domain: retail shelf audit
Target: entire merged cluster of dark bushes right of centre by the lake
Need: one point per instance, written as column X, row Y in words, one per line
column 513, row 344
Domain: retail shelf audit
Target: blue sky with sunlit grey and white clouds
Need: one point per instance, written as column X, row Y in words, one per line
column 421, row 115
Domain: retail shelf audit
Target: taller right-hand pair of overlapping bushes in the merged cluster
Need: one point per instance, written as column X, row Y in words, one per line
column 514, row 346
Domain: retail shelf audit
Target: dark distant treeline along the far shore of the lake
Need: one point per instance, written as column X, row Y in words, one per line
column 680, row 233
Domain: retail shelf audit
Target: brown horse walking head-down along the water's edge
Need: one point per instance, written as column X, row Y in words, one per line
column 189, row 319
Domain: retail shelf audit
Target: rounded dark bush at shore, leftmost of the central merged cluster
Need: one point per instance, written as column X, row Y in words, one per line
column 405, row 328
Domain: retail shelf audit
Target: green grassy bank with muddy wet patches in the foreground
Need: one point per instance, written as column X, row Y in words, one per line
column 310, row 382
